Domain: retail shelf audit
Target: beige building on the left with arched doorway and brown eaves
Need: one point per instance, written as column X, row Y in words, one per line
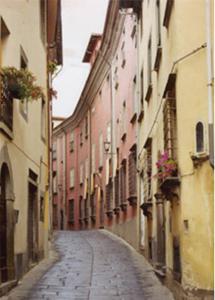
column 30, row 35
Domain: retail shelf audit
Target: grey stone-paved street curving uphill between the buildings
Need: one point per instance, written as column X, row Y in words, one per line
column 94, row 265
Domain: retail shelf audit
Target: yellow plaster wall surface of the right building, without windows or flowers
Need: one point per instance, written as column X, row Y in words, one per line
column 186, row 33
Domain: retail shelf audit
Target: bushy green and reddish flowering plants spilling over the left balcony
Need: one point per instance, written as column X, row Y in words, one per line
column 20, row 84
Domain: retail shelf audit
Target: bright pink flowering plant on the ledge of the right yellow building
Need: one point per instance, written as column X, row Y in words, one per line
column 166, row 166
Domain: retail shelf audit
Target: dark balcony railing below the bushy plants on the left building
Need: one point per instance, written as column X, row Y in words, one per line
column 6, row 113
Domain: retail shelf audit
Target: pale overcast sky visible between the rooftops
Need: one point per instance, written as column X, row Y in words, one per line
column 80, row 18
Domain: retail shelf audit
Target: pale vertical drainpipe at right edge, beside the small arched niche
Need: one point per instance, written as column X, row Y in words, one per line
column 210, row 82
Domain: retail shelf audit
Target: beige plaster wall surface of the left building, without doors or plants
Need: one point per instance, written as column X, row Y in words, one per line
column 26, row 148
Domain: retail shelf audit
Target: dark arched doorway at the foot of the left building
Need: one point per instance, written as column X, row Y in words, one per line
column 6, row 226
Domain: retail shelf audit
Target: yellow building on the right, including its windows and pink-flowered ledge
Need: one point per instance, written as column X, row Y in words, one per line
column 175, row 181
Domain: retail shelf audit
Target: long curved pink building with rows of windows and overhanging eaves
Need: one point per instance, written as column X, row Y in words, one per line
column 94, row 165
